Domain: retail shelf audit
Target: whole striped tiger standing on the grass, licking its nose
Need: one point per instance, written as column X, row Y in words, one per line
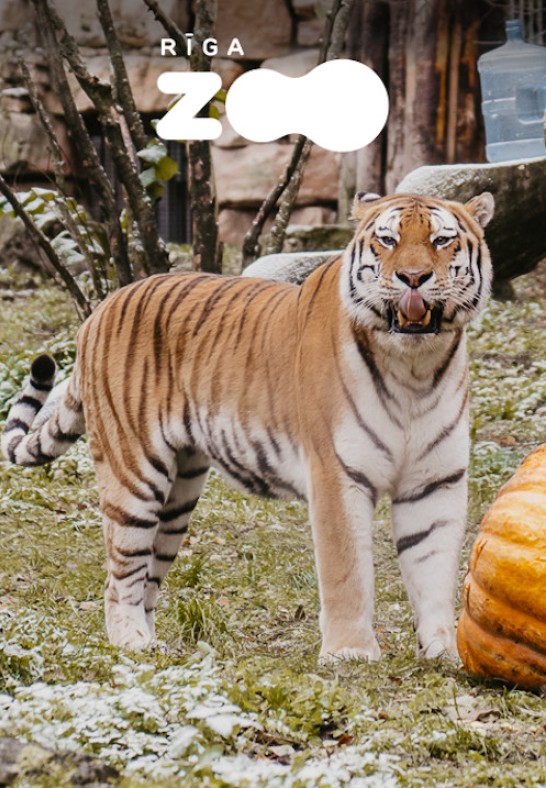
column 351, row 386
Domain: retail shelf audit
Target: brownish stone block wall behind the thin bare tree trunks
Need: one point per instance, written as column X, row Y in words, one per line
column 271, row 35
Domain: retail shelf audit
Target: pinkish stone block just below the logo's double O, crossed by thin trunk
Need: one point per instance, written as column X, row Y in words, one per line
column 244, row 176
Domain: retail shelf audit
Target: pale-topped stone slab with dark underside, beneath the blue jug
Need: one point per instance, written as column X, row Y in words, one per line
column 516, row 235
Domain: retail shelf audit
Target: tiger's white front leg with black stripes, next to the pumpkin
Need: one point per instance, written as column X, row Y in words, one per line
column 428, row 530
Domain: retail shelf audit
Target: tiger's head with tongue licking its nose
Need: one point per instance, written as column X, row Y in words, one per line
column 417, row 266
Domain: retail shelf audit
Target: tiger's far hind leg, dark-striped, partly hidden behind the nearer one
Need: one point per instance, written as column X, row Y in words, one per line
column 191, row 476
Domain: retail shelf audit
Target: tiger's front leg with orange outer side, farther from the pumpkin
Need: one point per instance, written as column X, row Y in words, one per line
column 341, row 510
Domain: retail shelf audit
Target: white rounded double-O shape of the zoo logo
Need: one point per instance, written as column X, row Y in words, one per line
column 341, row 105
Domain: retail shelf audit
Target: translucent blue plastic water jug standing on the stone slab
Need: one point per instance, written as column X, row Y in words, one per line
column 513, row 80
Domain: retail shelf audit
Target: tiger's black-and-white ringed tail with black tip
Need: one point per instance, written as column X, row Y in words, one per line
column 45, row 420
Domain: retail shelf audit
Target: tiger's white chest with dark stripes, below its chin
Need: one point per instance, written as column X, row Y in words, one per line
column 409, row 421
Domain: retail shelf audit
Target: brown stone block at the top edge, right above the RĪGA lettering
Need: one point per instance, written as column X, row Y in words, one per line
column 263, row 27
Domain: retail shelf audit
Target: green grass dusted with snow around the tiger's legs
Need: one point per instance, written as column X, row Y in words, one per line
column 235, row 695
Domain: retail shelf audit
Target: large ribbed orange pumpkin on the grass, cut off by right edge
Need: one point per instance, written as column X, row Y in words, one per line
column 502, row 628
